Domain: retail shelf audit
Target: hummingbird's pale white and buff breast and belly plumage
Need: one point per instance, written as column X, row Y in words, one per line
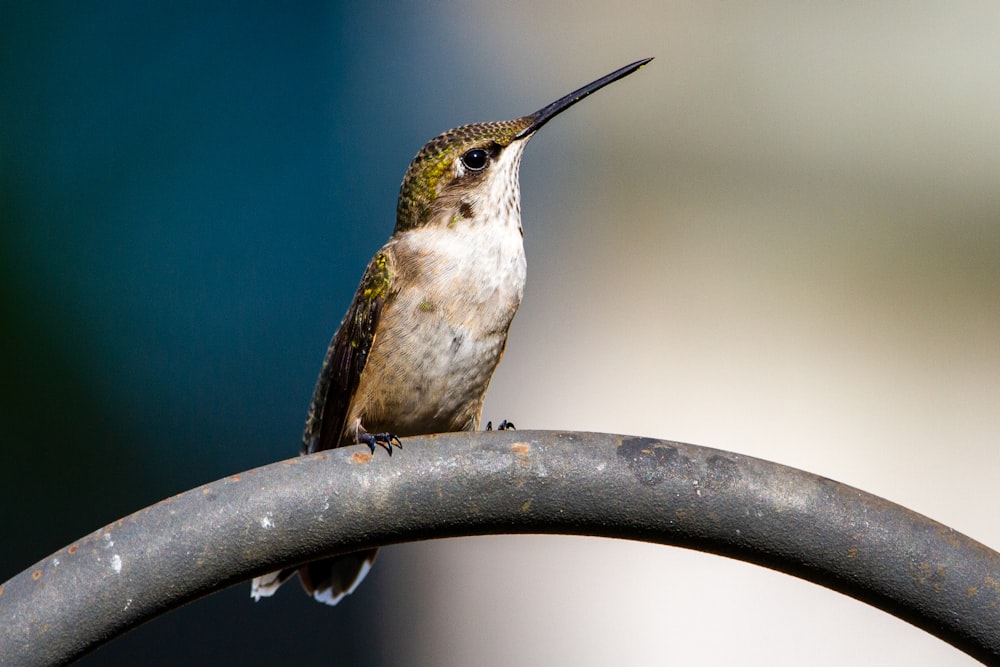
column 443, row 331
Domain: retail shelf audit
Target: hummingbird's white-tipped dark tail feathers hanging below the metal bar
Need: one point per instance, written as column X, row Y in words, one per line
column 327, row 580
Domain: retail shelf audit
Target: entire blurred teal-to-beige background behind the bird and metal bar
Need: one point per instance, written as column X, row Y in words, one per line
column 781, row 238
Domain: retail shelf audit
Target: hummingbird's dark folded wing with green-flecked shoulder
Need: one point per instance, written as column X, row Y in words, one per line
column 346, row 357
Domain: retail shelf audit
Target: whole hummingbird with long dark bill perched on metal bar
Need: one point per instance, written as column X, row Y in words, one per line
column 428, row 325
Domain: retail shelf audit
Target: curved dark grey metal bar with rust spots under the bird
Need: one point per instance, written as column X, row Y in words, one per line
column 658, row 491
